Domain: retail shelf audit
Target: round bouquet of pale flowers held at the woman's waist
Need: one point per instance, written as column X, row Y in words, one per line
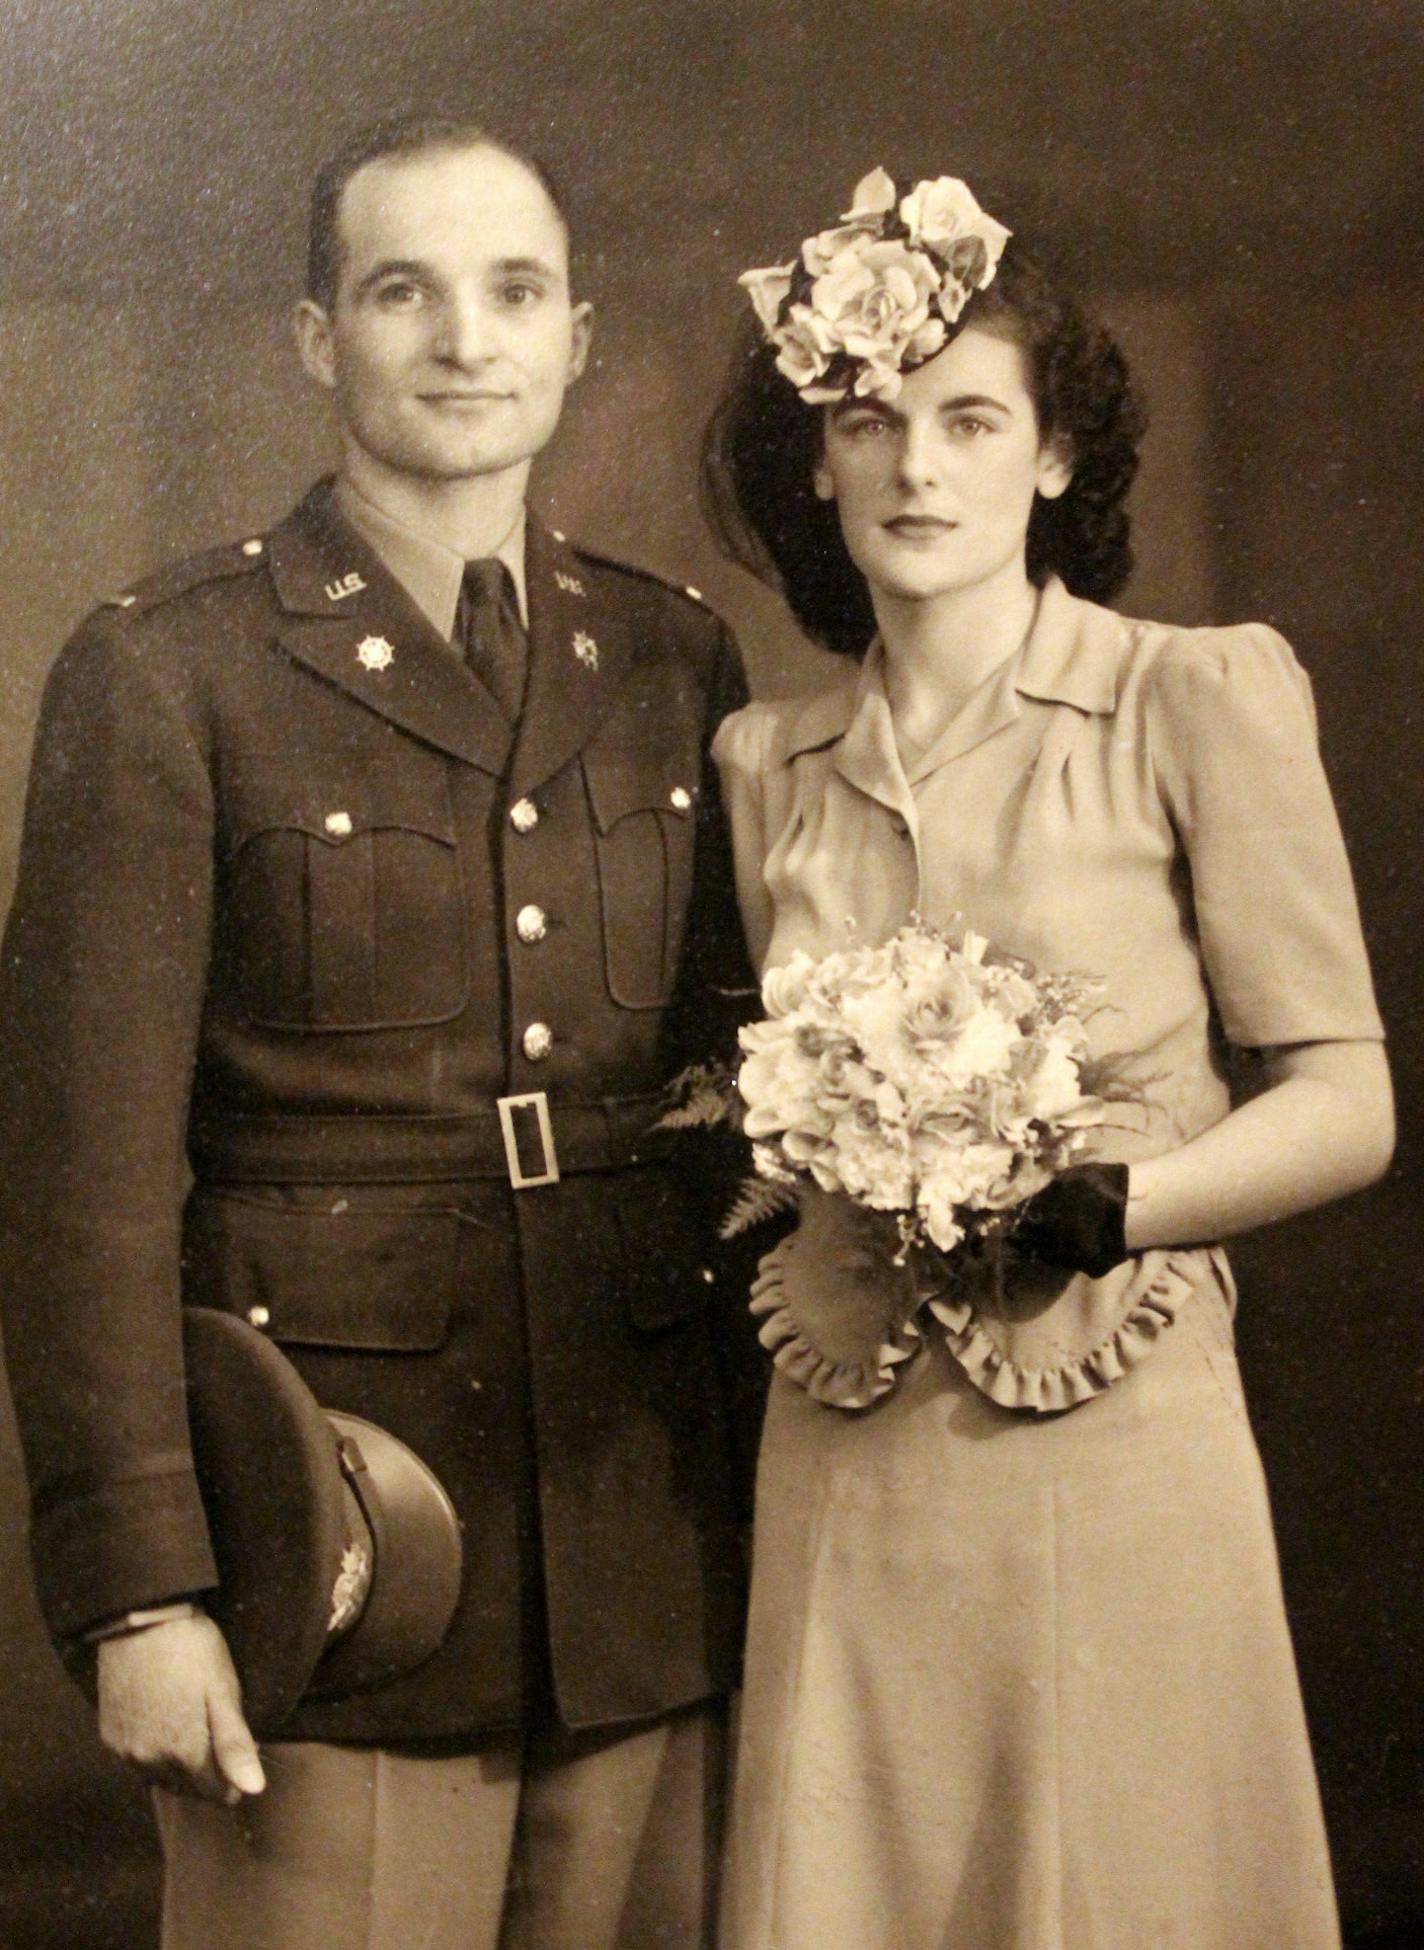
column 928, row 1079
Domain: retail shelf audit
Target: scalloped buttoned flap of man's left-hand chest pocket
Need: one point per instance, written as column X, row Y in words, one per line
column 335, row 802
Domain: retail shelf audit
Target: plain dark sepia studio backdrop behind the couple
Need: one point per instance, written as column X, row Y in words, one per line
column 1236, row 182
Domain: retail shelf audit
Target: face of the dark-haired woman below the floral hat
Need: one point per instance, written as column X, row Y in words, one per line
column 937, row 487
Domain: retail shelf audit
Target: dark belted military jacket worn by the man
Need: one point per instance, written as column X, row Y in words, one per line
column 296, row 910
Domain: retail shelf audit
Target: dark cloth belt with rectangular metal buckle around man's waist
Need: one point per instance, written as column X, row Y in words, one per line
column 524, row 1140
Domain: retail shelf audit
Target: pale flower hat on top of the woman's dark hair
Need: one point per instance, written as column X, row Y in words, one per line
column 877, row 295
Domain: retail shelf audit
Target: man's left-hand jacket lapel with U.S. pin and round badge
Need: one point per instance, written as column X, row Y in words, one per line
column 352, row 623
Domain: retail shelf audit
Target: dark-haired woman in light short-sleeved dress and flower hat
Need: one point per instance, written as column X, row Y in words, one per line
column 1019, row 1674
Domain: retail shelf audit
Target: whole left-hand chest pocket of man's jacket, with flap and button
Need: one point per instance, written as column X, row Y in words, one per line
column 344, row 904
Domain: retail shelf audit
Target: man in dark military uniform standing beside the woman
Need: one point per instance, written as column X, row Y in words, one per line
column 374, row 884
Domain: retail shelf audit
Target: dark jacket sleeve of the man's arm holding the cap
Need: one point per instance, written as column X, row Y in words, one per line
column 100, row 1005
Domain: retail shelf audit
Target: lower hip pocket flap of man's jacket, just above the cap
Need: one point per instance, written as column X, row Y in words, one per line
column 364, row 1280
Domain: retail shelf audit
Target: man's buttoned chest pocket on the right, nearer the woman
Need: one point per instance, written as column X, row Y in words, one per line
column 645, row 826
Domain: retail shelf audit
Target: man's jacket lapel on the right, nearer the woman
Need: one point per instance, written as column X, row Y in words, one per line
column 578, row 656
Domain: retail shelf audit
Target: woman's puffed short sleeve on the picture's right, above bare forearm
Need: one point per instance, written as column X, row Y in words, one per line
column 1232, row 732
